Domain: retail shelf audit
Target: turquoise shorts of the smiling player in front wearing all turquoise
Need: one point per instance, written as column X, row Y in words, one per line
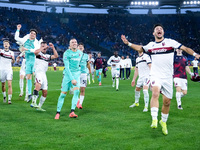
column 67, row 85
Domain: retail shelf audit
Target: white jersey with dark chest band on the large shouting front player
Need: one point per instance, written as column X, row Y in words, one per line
column 162, row 55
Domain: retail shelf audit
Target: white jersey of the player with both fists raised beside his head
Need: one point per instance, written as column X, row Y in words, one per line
column 41, row 62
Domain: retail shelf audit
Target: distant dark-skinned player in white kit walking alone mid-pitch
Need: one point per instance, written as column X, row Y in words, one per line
column 114, row 62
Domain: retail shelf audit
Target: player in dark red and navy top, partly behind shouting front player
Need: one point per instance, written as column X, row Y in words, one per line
column 180, row 76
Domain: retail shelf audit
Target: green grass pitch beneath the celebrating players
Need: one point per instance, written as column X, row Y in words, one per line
column 106, row 122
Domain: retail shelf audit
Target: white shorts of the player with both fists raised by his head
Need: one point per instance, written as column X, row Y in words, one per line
column 41, row 78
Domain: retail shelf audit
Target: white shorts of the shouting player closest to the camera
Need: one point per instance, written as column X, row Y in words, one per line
column 165, row 85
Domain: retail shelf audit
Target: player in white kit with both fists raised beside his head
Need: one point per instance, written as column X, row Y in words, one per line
column 41, row 67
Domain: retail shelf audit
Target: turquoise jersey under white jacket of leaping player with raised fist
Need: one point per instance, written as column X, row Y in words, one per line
column 30, row 56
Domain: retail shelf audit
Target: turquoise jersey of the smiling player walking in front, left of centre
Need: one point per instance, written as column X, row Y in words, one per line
column 72, row 63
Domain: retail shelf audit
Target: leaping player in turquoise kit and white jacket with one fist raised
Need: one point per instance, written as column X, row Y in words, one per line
column 30, row 44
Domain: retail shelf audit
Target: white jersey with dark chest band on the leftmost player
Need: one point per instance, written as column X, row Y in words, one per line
column 6, row 59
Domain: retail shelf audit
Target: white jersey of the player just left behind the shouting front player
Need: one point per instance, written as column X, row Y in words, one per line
column 142, row 65
